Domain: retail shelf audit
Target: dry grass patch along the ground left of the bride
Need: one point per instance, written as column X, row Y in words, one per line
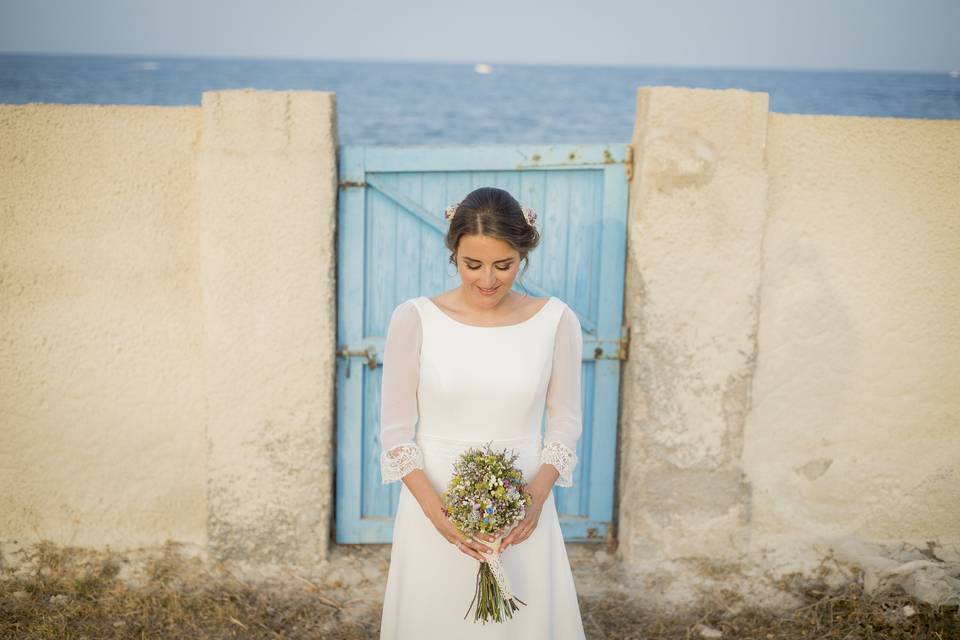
column 178, row 599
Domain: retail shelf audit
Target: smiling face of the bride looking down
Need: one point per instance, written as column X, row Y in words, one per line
column 487, row 268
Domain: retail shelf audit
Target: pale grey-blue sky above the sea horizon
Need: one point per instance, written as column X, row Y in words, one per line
column 909, row 35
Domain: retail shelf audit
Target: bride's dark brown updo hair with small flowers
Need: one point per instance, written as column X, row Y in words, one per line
column 493, row 212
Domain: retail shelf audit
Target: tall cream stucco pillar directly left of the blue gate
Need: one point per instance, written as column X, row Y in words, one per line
column 268, row 187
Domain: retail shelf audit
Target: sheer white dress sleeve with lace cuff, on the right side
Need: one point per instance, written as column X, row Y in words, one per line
column 564, row 416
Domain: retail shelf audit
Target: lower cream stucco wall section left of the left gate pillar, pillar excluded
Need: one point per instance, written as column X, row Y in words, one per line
column 101, row 392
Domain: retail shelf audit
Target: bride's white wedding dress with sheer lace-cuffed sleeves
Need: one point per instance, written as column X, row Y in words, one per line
column 448, row 386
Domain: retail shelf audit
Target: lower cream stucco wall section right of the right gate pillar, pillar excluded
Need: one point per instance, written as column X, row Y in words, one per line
column 855, row 426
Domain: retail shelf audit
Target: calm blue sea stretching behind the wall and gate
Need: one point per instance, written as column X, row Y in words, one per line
column 428, row 103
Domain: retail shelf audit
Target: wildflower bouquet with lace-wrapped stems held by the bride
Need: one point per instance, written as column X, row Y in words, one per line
column 485, row 495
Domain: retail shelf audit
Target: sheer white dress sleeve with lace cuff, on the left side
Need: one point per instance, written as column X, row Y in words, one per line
column 399, row 411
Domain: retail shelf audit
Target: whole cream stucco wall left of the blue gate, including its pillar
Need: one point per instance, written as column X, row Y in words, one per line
column 169, row 323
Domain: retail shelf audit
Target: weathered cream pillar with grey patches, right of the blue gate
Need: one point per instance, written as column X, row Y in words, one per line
column 696, row 224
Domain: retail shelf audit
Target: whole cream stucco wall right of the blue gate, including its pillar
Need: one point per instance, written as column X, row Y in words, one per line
column 794, row 373
